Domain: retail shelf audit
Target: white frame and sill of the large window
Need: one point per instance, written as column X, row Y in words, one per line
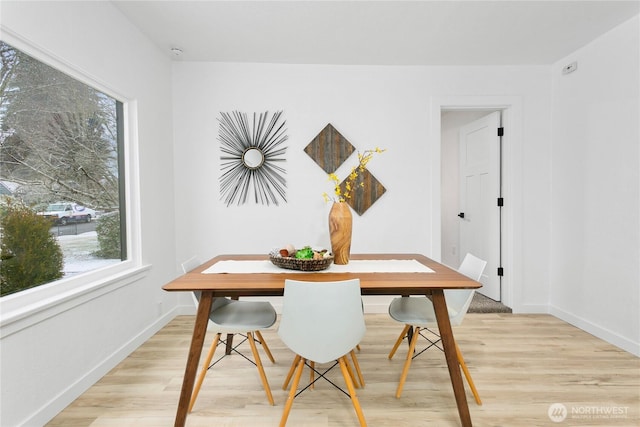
column 19, row 310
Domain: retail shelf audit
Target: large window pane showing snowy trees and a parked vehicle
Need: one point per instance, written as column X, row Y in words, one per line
column 61, row 161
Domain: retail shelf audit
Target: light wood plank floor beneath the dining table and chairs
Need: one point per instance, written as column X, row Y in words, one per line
column 521, row 365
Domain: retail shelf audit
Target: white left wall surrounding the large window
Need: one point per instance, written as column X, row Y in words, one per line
column 57, row 351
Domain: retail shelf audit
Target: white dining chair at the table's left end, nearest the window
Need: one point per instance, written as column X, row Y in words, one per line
column 232, row 317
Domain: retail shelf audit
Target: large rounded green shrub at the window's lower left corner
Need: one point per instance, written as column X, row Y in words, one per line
column 29, row 255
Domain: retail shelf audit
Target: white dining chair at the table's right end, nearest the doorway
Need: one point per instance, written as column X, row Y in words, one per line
column 418, row 315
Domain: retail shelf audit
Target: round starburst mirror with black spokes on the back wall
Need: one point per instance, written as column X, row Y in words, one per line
column 251, row 153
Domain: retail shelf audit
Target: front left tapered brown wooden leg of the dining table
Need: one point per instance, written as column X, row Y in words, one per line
column 195, row 351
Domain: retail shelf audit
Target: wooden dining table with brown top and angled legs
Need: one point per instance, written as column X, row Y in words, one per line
column 432, row 283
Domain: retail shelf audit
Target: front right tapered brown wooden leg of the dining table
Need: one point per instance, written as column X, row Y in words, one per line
column 449, row 344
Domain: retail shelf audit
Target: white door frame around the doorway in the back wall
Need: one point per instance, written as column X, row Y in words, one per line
column 511, row 107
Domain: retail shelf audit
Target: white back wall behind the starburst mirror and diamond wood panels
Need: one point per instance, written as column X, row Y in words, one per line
column 389, row 107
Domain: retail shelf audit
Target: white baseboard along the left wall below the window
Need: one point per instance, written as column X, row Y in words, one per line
column 47, row 412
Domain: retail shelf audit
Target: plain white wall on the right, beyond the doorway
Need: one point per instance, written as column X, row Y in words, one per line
column 595, row 245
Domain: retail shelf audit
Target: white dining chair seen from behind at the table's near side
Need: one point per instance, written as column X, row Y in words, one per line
column 322, row 322
